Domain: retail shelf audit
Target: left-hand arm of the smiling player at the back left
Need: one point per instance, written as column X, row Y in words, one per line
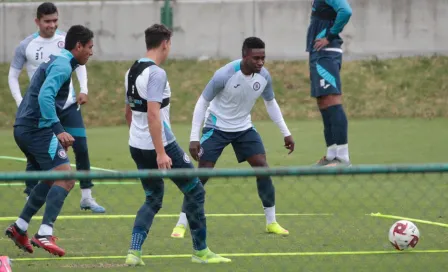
column 15, row 69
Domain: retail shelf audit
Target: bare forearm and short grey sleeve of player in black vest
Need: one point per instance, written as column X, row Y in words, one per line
column 156, row 86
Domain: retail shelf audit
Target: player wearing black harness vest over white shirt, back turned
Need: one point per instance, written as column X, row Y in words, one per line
column 153, row 146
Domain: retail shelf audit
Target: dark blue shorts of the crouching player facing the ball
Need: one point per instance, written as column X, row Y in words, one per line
column 245, row 144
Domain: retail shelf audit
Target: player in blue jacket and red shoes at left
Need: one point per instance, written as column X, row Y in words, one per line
column 42, row 138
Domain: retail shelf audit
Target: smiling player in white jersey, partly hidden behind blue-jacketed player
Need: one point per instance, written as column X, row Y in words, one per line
column 31, row 52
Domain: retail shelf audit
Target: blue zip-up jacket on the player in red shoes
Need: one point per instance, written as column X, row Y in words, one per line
column 47, row 93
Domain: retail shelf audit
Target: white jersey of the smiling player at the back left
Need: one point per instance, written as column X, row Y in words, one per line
column 34, row 50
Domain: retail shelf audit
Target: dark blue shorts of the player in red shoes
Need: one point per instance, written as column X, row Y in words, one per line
column 41, row 147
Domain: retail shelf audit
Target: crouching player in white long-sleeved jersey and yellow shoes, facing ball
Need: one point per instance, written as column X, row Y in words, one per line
column 225, row 105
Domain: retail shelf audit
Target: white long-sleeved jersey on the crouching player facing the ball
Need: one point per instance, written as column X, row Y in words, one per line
column 227, row 101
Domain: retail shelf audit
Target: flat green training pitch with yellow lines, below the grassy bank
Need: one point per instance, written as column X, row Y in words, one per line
column 339, row 227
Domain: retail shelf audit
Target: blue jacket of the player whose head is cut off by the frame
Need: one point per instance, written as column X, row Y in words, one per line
column 328, row 19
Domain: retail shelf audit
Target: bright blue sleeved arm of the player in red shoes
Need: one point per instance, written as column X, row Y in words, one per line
column 57, row 75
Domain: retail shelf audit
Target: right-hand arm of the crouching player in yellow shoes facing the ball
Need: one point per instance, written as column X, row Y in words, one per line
column 275, row 113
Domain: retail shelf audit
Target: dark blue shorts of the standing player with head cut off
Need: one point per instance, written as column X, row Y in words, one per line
column 324, row 73
